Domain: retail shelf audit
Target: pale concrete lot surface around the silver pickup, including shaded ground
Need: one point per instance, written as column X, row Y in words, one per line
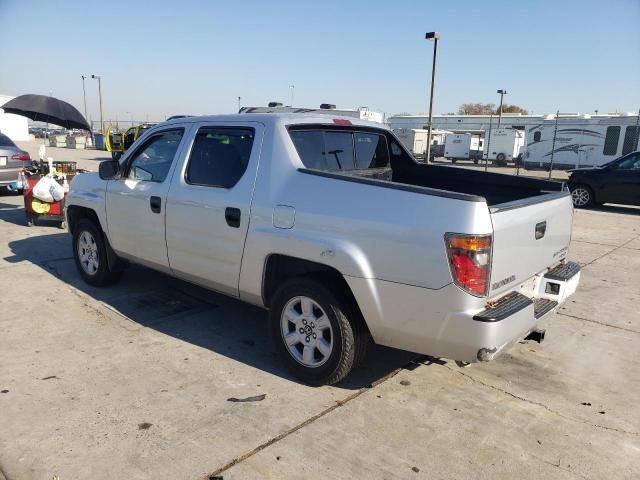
column 133, row 381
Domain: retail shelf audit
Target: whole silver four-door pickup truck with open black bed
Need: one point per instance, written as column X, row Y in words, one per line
column 331, row 225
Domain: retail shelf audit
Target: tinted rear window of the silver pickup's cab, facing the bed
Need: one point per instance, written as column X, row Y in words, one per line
column 341, row 149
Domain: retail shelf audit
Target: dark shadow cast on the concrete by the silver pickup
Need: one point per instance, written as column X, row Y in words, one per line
column 192, row 314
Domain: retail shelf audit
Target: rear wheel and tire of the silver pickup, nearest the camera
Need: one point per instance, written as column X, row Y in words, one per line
column 338, row 324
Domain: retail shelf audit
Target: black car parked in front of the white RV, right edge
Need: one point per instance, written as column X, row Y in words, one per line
column 615, row 182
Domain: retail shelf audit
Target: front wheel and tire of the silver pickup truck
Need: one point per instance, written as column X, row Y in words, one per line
column 90, row 255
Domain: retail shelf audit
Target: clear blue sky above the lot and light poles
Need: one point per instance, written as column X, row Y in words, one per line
column 163, row 58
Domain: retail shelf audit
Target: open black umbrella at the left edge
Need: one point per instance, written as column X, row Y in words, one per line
column 42, row 108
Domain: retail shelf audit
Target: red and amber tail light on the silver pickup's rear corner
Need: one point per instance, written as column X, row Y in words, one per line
column 470, row 261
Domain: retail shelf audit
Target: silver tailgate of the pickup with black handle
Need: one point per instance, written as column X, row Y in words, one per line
column 528, row 237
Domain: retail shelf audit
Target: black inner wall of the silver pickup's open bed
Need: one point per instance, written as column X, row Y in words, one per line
column 496, row 188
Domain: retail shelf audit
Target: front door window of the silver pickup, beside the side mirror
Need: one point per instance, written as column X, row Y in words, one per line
column 152, row 161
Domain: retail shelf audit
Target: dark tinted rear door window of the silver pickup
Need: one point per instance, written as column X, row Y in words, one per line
column 219, row 156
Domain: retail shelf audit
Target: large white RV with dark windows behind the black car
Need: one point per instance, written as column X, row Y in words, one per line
column 580, row 141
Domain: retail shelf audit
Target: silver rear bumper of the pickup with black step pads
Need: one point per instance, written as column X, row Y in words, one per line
column 450, row 324
